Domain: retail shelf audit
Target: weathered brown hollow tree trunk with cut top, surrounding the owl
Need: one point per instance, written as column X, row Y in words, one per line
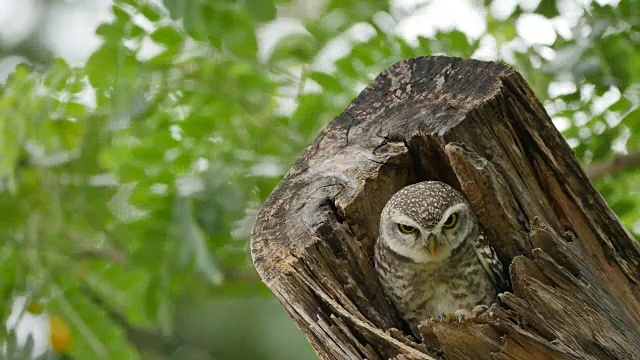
column 477, row 126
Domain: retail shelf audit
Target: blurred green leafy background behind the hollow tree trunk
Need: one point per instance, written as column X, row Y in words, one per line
column 139, row 138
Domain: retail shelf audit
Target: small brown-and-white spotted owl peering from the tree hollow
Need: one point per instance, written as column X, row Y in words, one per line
column 431, row 256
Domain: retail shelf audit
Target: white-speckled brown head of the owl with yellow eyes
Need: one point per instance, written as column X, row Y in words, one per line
column 426, row 221
